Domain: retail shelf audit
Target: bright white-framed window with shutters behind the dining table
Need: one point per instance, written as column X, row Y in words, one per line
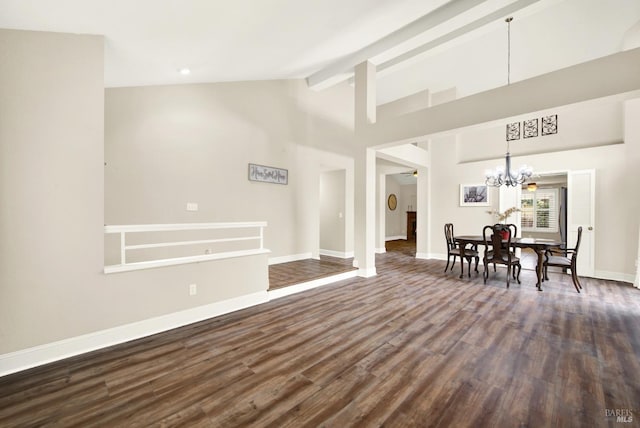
column 539, row 210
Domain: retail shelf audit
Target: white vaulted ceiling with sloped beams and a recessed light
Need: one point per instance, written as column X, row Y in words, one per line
column 416, row 44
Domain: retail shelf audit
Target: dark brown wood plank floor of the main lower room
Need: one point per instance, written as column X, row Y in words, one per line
column 412, row 346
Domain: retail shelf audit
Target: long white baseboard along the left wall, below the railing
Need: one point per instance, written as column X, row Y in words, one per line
column 38, row 355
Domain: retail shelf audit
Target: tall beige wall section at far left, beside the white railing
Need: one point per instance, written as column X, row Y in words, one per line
column 51, row 187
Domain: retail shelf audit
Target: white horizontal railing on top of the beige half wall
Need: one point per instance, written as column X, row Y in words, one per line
column 125, row 230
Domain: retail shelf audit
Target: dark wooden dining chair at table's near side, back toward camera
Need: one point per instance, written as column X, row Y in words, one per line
column 497, row 251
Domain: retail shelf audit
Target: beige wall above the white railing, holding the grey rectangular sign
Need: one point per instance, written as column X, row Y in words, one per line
column 169, row 145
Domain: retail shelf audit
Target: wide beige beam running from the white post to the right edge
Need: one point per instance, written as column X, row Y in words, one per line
column 603, row 77
